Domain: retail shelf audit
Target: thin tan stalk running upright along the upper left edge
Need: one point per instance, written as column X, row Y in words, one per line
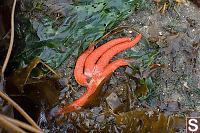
column 11, row 40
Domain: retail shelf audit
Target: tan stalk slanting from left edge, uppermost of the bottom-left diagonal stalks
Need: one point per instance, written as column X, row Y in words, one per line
column 22, row 112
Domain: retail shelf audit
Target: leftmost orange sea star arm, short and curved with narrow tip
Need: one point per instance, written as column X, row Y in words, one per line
column 80, row 77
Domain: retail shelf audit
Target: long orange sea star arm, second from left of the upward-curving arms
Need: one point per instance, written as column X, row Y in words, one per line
column 94, row 56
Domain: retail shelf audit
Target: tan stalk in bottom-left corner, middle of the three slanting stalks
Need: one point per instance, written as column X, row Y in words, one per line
column 22, row 124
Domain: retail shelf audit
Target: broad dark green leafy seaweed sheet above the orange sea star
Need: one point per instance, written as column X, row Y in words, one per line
column 80, row 24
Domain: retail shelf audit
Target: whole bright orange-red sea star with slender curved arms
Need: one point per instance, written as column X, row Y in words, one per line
column 92, row 67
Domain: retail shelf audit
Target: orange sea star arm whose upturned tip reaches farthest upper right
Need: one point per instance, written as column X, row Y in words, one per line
column 109, row 54
